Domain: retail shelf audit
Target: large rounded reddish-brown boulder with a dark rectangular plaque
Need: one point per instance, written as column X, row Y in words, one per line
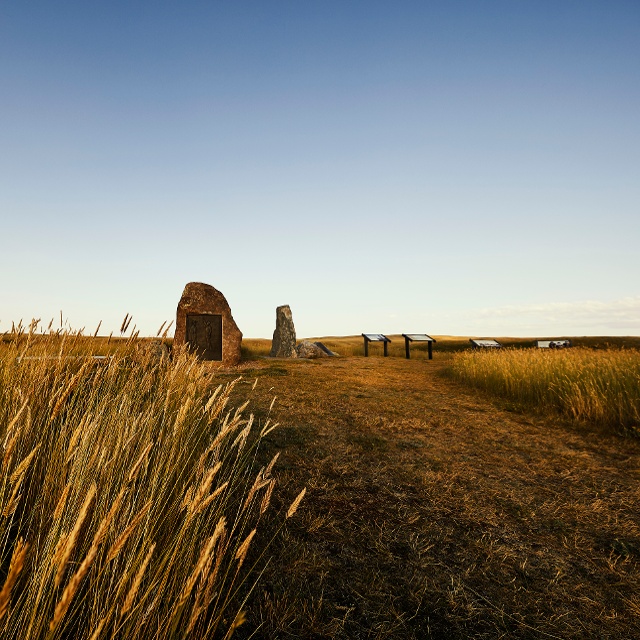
column 204, row 324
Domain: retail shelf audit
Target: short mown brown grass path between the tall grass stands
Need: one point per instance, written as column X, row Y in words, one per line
column 433, row 512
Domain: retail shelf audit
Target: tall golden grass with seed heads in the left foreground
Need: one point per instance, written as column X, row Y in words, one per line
column 128, row 504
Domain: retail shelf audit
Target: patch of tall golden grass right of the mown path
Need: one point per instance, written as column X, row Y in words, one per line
column 587, row 385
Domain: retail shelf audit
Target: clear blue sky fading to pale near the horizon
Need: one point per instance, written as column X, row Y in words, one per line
column 460, row 167
